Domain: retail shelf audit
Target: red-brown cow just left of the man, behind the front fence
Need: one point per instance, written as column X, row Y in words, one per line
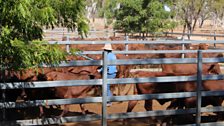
column 63, row 73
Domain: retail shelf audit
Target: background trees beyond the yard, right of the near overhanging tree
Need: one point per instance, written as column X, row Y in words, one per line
column 145, row 16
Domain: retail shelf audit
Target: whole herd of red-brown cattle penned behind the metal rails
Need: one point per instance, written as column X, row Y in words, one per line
column 89, row 72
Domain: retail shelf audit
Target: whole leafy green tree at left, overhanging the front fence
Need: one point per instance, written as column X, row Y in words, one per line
column 21, row 30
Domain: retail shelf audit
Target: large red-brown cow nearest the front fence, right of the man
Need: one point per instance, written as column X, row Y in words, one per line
column 168, row 87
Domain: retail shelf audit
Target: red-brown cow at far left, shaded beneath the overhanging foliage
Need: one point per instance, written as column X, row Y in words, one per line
column 30, row 76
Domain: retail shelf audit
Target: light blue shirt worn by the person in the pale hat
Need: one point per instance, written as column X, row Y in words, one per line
column 111, row 69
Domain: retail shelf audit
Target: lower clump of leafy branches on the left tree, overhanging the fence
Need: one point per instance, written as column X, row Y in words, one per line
column 17, row 55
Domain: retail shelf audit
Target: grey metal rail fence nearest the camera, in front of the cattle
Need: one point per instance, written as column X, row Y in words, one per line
column 102, row 82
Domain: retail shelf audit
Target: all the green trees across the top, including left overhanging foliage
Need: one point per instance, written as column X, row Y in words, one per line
column 22, row 23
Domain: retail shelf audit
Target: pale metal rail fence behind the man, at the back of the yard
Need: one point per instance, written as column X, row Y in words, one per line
column 127, row 42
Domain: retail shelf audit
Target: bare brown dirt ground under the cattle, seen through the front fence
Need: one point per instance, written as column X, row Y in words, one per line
column 121, row 108
